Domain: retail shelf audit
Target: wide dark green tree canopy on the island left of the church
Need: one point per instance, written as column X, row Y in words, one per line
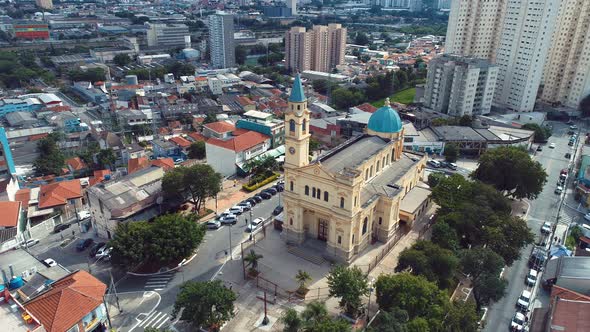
column 170, row 238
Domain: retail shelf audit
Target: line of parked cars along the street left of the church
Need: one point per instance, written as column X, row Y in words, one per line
column 230, row 216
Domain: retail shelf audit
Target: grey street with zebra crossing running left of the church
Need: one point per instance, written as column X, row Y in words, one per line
column 207, row 264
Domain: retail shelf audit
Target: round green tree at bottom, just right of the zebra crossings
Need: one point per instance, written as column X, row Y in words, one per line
column 206, row 304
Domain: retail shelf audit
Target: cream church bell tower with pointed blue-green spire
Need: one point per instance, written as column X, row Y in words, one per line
column 297, row 128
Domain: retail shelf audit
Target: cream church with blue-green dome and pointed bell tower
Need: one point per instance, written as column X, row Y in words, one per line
column 361, row 191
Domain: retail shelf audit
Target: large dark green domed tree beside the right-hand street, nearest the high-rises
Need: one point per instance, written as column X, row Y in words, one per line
column 510, row 169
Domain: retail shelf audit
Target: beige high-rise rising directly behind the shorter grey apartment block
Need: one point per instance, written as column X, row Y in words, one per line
column 474, row 28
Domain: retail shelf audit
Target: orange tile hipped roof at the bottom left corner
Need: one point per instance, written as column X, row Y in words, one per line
column 67, row 301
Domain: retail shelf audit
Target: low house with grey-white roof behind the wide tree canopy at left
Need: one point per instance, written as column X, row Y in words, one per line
column 134, row 197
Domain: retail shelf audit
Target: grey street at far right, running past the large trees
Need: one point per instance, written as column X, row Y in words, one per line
column 544, row 208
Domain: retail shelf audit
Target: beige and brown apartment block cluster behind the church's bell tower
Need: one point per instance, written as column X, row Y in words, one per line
column 320, row 49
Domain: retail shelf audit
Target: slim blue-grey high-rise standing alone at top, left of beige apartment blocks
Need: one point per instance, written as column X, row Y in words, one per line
column 221, row 40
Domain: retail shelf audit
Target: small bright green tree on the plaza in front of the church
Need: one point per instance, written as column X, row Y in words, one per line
column 349, row 284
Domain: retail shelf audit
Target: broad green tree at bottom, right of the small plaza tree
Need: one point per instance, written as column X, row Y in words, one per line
column 413, row 294
